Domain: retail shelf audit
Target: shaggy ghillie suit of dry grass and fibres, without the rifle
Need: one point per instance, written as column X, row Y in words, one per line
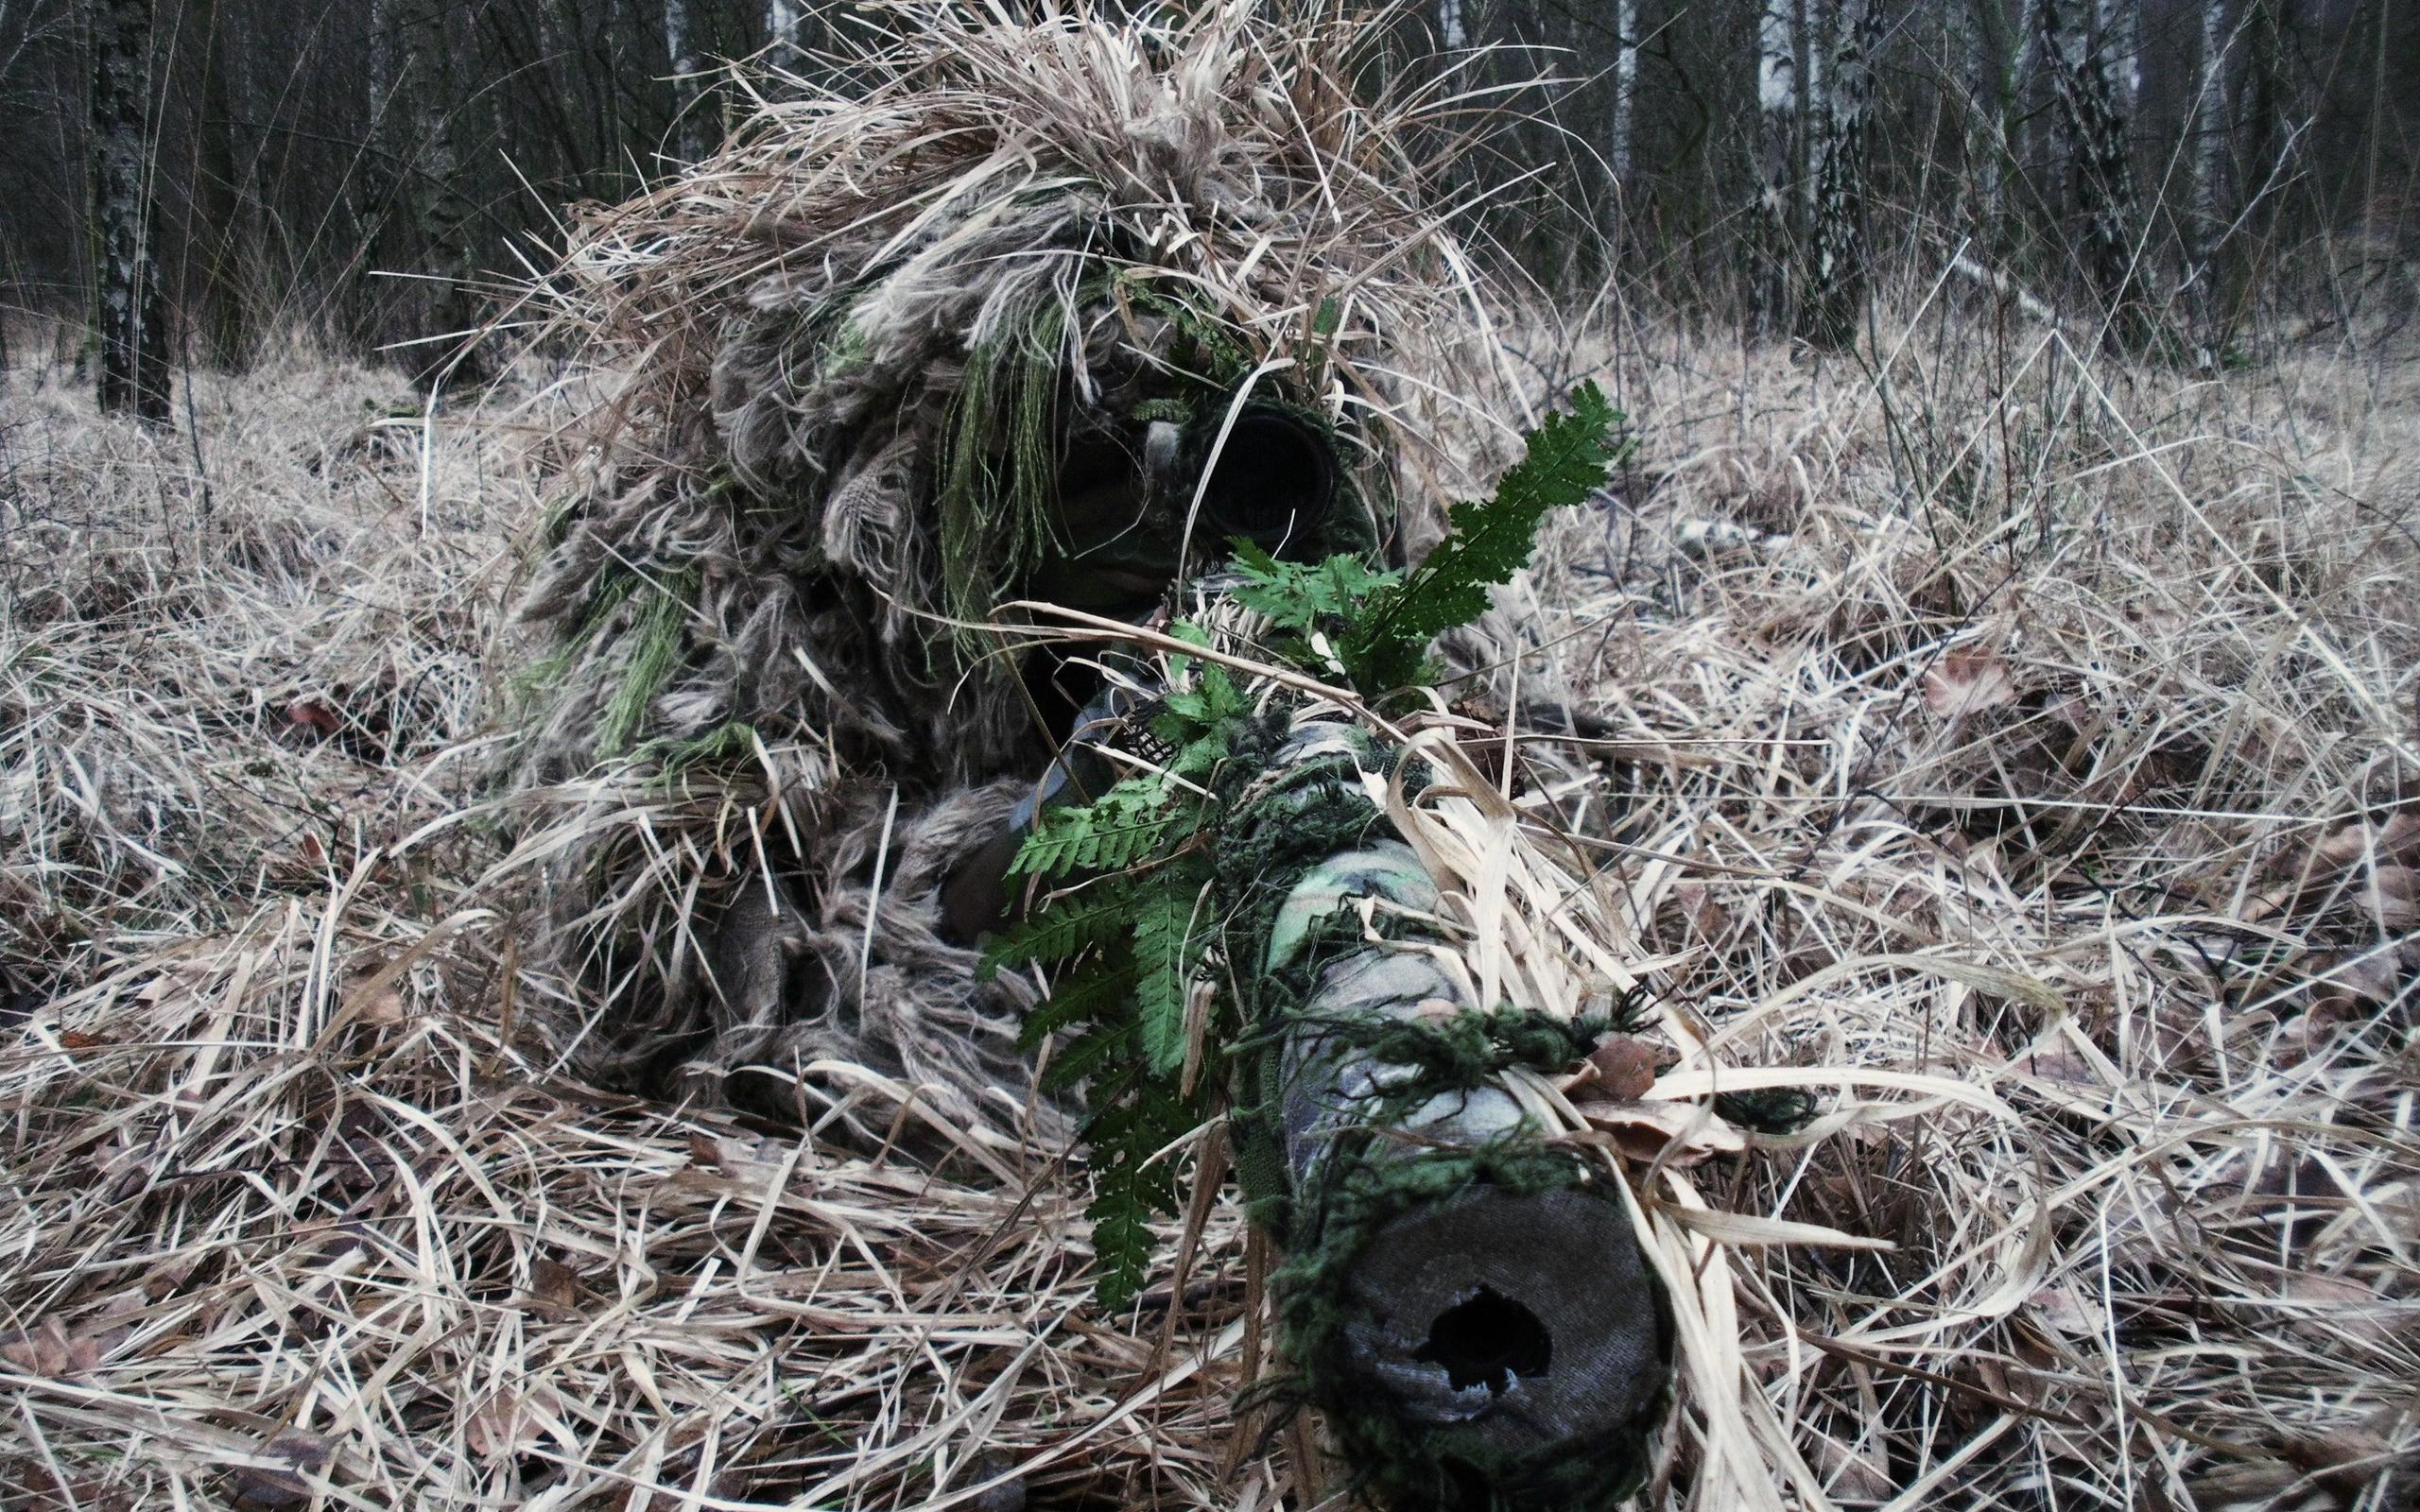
column 863, row 357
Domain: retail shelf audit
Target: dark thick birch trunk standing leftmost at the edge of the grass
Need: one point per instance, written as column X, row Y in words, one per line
column 134, row 323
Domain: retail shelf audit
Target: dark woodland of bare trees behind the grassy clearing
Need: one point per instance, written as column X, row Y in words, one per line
column 190, row 175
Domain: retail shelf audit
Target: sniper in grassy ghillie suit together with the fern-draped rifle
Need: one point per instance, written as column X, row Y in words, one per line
column 1022, row 345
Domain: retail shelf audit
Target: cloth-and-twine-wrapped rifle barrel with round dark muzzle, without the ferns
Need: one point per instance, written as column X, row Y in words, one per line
column 1463, row 1293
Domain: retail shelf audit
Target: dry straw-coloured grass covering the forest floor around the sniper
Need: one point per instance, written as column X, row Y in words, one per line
column 2019, row 744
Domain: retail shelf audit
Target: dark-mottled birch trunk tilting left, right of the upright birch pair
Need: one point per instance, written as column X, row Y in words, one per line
column 2092, row 93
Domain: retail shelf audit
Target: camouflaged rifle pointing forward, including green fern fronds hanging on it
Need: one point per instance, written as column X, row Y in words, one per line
column 1257, row 884
